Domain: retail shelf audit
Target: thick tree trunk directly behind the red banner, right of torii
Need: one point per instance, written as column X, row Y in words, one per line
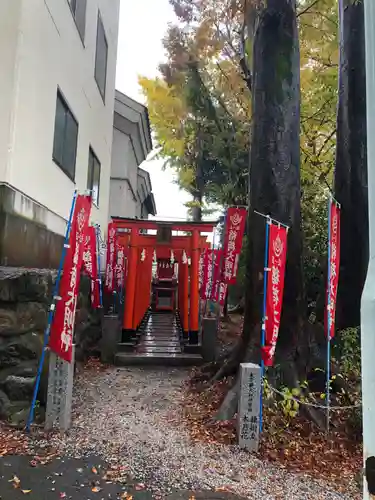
column 275, row 185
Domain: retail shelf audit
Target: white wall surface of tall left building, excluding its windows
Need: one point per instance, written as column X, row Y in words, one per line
column 46, row 55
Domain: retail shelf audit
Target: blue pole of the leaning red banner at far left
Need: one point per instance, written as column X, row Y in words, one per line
column 50, row 316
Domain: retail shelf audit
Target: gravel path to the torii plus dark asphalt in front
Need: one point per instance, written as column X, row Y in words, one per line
column 133, row 420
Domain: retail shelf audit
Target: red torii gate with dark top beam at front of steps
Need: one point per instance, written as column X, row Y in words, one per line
column 140, row 248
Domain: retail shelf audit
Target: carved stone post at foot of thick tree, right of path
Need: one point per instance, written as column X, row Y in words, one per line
column 249, row 407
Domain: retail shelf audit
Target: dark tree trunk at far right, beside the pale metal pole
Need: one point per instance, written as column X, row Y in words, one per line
column 351, row 163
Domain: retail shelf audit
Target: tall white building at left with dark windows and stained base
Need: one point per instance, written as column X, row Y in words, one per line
column 57, row 89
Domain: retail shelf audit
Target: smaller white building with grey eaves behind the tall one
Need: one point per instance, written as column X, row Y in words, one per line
column 131, row 190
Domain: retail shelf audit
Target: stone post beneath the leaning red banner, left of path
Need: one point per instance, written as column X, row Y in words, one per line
column 60, row 393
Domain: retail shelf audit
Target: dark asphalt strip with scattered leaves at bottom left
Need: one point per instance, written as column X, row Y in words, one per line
column 74, row 479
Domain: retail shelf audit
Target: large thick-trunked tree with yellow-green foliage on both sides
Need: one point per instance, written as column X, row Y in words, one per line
column 233, row 62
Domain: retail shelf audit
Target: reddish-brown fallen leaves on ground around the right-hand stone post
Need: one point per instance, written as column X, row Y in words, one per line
column 299, row 447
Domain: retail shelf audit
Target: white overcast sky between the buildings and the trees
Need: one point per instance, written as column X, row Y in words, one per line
column 143, row 24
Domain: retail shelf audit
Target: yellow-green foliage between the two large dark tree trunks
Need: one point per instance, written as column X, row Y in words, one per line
column 318, row 25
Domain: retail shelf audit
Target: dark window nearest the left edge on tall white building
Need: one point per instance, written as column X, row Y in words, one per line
column 65, row 138
